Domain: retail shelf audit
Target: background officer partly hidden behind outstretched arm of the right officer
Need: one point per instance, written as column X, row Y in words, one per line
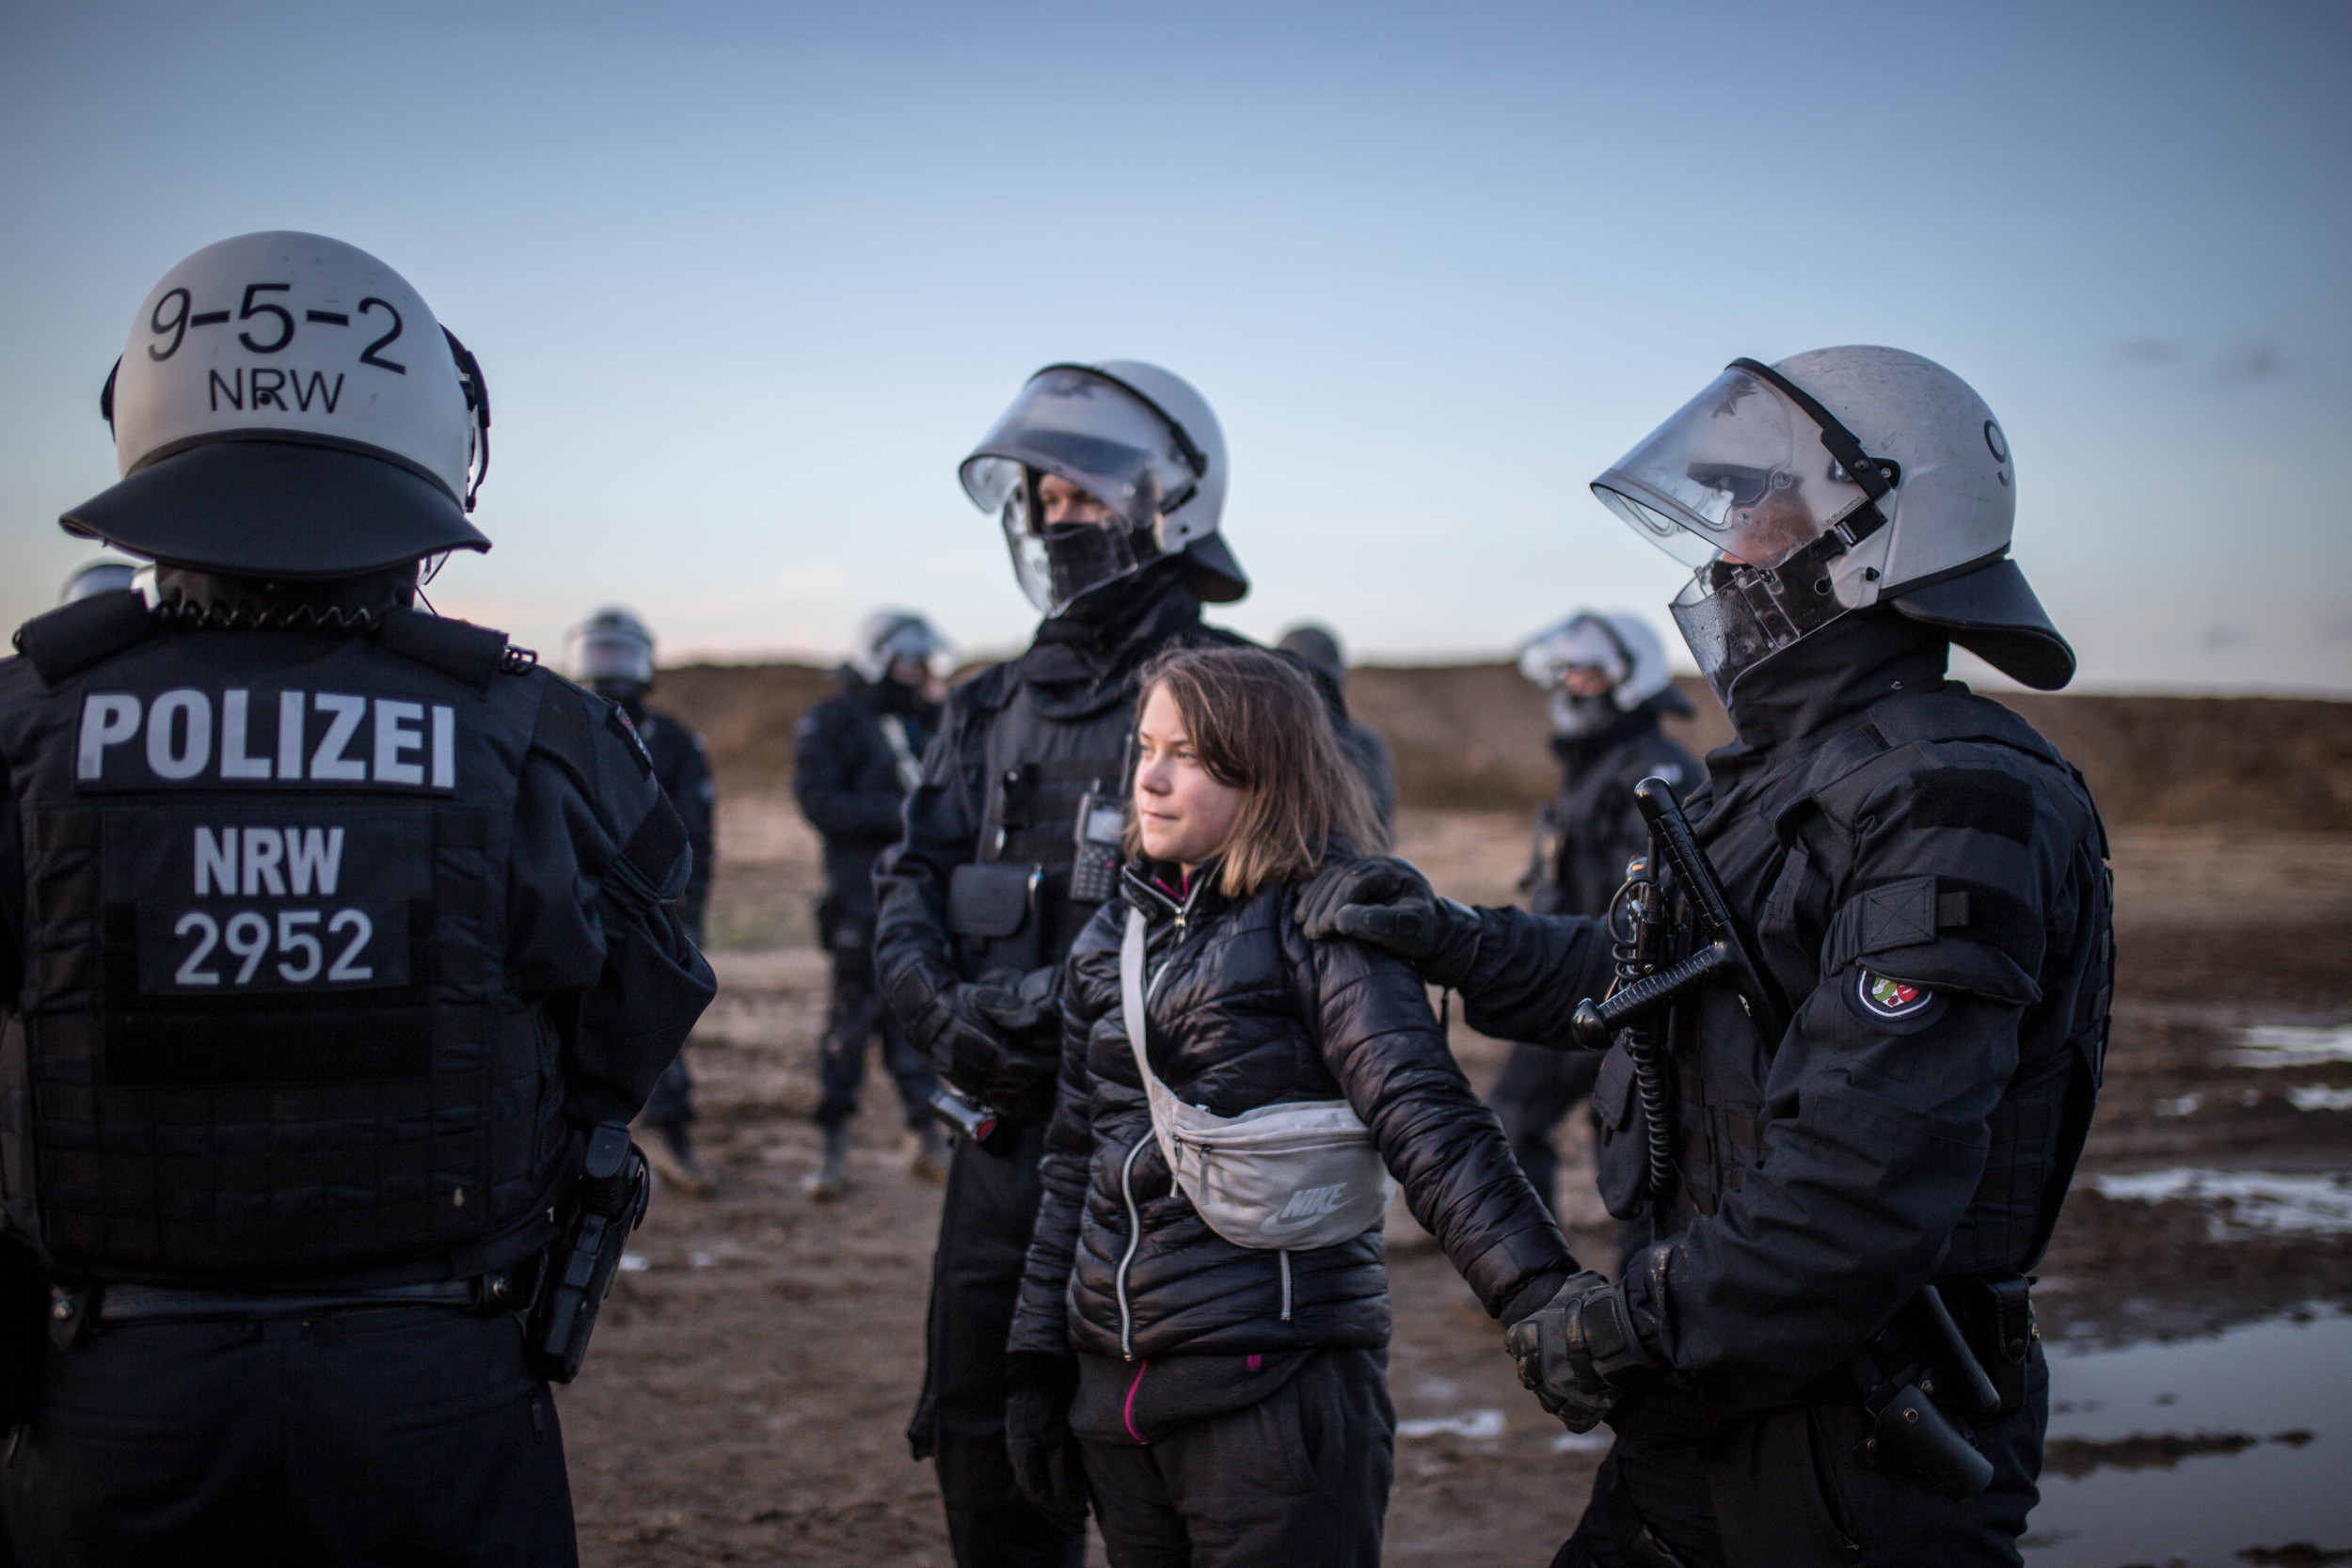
column 1608, row 688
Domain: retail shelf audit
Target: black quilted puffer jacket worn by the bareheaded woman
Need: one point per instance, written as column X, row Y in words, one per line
column 1248, row 1012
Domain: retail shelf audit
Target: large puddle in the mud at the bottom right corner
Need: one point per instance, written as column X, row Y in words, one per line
column 2200, row 1449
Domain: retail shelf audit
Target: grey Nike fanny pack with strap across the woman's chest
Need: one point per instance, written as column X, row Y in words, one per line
column 1278, row 1179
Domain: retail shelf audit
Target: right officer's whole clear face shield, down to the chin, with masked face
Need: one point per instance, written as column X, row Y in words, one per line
column 1760, row 490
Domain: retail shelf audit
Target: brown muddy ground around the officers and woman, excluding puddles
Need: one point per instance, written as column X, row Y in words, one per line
column 749, row 1388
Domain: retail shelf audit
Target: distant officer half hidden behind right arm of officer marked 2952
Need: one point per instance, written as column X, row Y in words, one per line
column 613, row 655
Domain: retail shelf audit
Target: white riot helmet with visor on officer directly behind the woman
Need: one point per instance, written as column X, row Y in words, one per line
column 1142, row 443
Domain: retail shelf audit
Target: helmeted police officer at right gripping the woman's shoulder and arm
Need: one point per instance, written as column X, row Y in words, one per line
column 1925, row 883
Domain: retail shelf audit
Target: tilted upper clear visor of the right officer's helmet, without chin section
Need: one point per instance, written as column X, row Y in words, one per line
column 1737, row 474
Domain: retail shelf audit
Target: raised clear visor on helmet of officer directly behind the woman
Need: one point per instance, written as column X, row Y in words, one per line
column 1095, row 434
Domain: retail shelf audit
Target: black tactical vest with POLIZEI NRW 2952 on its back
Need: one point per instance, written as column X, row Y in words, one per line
column 267, row 1026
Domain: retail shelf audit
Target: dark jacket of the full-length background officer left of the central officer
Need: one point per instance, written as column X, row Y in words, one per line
column 846, row 777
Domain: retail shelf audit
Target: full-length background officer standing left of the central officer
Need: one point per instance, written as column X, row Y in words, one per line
column 855, row 760
